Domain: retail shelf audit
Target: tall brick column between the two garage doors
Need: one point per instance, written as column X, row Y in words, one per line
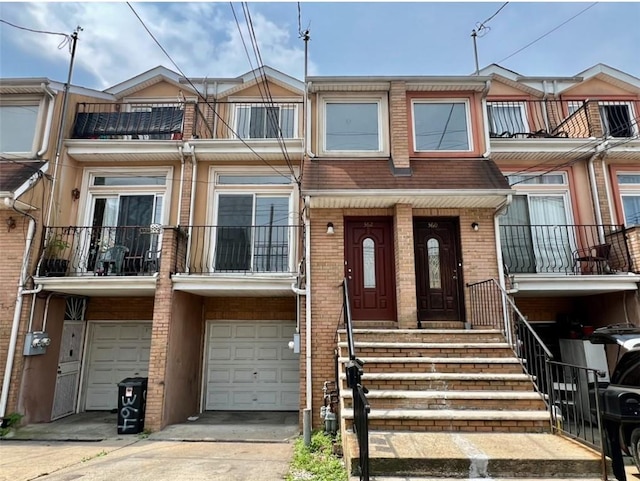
column 154, row 417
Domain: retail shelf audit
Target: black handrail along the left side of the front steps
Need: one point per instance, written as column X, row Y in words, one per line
column 361, row 407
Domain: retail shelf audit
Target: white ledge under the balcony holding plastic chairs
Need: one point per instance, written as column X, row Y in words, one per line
column 100, row 286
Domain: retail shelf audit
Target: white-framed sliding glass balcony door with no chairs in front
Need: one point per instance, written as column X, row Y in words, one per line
column 253, row 231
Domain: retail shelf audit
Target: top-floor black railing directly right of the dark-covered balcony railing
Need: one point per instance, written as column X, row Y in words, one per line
column 246, row 120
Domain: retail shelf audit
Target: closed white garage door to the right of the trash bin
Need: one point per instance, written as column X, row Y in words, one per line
column 251, row 368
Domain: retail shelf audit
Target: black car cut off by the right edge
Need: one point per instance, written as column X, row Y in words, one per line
column 620, row 406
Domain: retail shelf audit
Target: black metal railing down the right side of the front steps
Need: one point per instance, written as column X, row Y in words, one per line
column 571, row 393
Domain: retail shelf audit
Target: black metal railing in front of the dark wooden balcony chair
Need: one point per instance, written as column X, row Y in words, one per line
column 565, row 249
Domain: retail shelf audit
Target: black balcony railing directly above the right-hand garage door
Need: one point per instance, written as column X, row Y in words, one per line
column 242, row 249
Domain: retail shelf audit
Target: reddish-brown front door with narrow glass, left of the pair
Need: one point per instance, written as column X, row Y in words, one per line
column 369, row 268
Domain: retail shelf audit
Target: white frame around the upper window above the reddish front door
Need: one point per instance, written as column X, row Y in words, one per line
column 380, row 99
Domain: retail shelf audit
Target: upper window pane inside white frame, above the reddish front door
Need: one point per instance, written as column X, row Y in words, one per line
column 352, row 126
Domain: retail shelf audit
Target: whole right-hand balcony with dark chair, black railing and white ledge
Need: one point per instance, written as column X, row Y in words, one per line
column 567, row 259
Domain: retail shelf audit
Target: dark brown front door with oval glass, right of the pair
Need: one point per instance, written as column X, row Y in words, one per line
column 438, row 270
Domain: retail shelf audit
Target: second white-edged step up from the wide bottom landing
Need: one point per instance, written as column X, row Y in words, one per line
column 486, row 400
